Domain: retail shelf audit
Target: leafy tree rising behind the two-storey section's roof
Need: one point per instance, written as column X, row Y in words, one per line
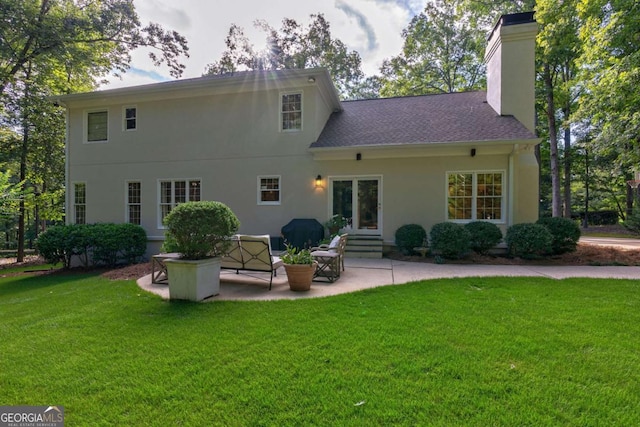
column 293, row 46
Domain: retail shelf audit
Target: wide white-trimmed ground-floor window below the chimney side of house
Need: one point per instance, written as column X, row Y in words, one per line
column 473, row 196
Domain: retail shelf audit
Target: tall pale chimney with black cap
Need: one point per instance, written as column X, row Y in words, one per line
column 510, row 58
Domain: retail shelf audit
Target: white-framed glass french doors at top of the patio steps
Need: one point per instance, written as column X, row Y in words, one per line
column 359, row 200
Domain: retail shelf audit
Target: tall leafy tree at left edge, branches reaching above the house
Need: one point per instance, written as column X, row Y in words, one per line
column 49, row 47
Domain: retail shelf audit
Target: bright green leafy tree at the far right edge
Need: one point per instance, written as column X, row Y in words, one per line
column 610, row 73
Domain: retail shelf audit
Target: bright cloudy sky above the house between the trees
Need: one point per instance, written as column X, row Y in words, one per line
column 373, row 28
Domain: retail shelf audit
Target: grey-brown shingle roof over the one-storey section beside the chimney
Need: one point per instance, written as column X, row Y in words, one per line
column 456, row 117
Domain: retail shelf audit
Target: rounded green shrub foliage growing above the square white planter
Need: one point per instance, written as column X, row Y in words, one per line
column 199, row 230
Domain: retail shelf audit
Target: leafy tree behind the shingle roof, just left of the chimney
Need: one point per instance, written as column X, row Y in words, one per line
column 442, row 53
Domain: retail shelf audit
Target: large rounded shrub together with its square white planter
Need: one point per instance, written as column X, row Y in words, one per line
column 199, row 232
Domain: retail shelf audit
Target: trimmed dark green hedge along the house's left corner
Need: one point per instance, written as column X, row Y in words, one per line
column 94, row 244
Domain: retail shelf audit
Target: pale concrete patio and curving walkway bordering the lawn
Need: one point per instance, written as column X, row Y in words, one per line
column 368, row 273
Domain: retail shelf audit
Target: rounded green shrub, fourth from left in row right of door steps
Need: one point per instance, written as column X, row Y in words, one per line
column 528, row 240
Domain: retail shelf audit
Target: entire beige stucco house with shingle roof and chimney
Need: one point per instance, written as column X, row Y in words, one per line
column 280, row 145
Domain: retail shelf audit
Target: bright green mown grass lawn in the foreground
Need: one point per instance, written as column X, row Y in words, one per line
column 473, row 352
